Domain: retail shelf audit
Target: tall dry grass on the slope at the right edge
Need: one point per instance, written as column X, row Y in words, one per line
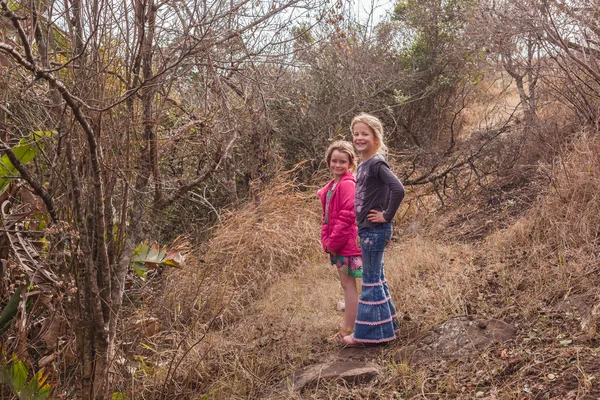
column 552, row 252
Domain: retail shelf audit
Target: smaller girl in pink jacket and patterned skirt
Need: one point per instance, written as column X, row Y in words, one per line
column 339, row 232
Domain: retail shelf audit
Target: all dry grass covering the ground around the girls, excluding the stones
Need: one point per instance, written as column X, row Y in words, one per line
column 261, row 303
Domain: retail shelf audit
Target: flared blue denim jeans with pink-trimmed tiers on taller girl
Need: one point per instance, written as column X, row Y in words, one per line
column 376, row 321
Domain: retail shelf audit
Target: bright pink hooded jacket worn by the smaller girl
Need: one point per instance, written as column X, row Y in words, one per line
column 339, row 235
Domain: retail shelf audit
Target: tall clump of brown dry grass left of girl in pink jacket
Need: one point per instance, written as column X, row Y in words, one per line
column 252, row 248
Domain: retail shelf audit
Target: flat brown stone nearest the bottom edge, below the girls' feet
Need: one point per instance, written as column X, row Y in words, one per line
column 349, row 371
